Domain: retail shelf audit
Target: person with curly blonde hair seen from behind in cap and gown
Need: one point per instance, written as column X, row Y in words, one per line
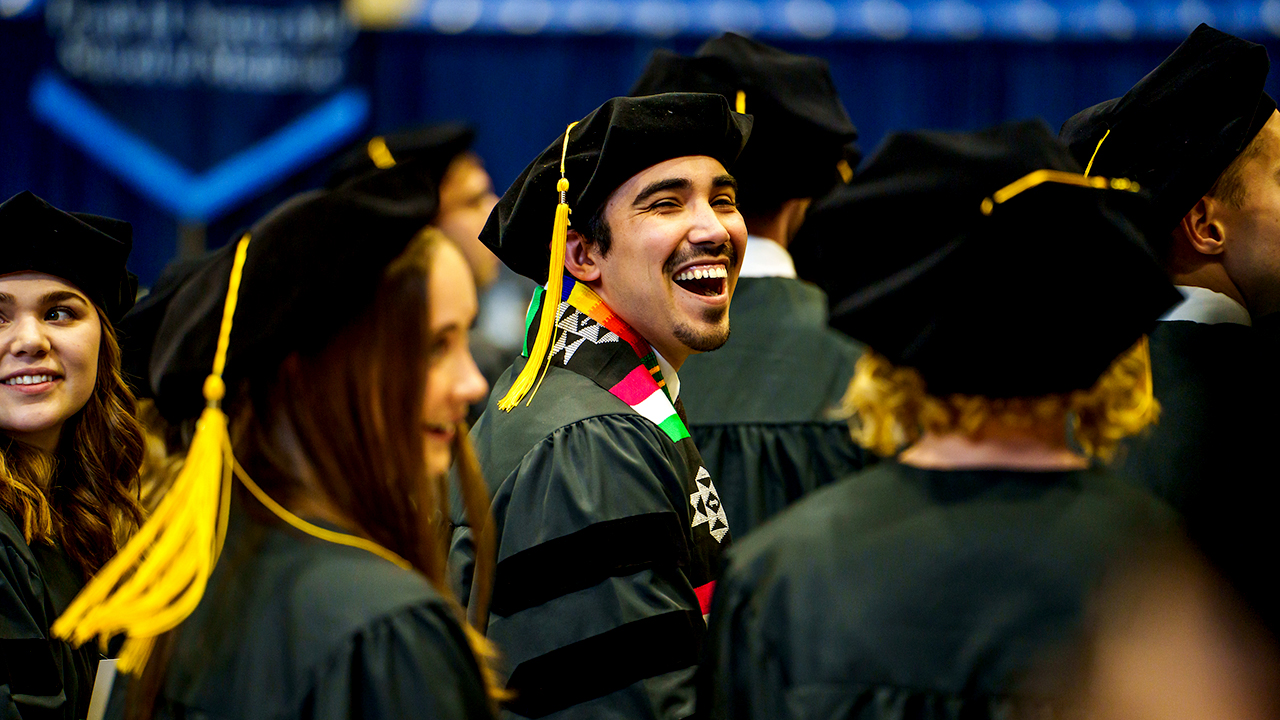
column 935, row 585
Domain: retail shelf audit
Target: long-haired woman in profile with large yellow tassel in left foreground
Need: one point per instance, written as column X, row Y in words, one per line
column 346, row 381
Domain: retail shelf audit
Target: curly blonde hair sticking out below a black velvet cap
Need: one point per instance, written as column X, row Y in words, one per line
column 889, row 408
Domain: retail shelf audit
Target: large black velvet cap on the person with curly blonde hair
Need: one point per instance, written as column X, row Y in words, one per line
column 1037, row 298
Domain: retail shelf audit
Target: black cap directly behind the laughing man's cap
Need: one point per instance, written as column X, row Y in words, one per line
column 801, row 133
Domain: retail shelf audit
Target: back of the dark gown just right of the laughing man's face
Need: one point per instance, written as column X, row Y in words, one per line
column 765, row 409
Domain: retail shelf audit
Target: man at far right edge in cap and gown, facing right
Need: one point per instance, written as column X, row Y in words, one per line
column 1204, row 138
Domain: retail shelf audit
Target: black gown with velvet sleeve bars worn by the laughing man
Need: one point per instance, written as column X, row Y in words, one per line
column 607, row 532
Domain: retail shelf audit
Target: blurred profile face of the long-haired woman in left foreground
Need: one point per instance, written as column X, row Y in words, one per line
column 454, row 382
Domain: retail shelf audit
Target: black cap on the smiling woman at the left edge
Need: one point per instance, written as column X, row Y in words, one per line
column 89, row 252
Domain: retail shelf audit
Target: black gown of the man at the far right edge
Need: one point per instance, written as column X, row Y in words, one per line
column 1212, row 455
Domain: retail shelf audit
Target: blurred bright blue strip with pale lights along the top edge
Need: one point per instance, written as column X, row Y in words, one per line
column 858, row 20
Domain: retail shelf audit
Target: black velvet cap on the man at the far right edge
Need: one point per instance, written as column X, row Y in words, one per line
column 1180, row 127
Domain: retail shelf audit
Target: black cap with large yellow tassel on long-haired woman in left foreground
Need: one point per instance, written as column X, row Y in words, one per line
column 298, row 279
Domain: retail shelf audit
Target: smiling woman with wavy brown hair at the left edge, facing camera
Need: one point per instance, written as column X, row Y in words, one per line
column 70, row 444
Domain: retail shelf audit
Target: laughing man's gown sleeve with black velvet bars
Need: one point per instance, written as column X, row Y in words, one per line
column 595, row 607
